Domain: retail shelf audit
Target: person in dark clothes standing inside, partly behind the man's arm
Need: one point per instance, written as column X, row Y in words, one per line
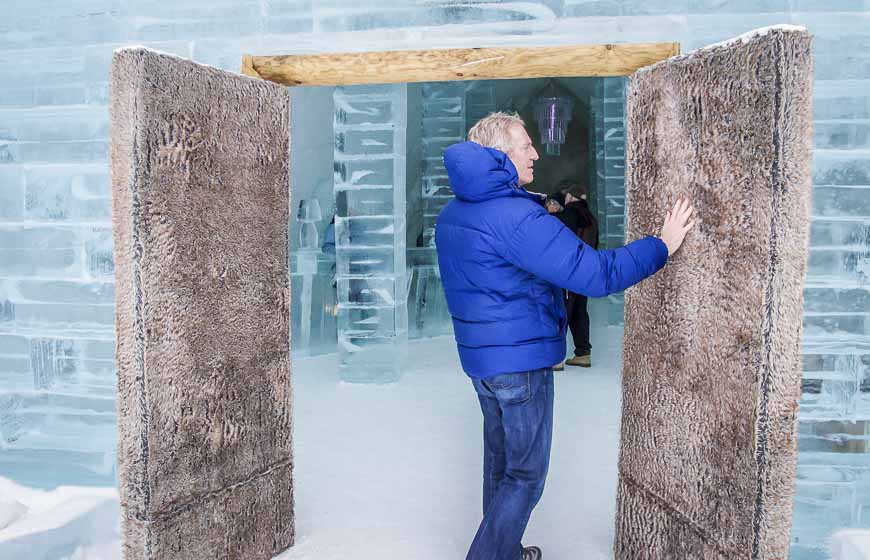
column 577, row 217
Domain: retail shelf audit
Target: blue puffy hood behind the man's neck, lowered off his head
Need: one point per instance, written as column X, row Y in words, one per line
column 478, row 173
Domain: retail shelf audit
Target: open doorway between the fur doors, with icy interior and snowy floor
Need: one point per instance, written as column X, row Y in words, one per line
column 393, row 470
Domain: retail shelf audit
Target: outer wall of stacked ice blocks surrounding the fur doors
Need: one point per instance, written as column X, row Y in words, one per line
column 56, row 289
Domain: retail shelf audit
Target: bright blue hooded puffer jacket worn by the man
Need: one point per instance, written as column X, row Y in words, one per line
column 504, row 262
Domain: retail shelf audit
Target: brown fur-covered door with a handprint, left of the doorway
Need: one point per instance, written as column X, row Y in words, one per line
column 200, row 179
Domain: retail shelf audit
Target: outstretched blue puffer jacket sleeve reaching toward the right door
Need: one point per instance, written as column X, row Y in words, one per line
column 541, row 245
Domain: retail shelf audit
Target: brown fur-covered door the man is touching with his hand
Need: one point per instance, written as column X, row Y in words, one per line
column 712, row 360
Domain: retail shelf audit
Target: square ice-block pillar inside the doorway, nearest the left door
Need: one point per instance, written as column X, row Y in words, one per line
column 370, row 172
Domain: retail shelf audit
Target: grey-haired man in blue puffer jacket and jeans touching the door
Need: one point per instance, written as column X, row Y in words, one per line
column 504, row 262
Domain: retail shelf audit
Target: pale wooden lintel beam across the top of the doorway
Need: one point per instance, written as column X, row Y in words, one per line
column 457, row 64
